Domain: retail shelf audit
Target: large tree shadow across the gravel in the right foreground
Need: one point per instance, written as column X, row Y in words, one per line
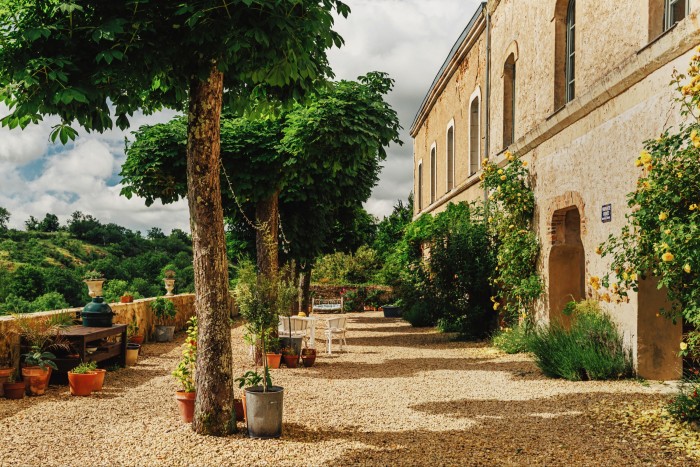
column 511, row 433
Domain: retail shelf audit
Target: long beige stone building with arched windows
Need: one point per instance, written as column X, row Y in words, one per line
column 574, row 87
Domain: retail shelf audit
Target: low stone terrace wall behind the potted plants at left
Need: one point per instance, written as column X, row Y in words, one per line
column 125, row 312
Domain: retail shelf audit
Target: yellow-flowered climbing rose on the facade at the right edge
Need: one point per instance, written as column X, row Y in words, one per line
column 662, row 235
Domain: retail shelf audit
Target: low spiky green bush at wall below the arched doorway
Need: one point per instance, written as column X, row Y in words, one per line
column 591, row 349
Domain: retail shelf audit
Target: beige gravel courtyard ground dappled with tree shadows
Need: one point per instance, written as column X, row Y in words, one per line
column 396, row 396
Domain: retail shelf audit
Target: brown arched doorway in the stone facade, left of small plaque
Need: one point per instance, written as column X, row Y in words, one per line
column 567, row 263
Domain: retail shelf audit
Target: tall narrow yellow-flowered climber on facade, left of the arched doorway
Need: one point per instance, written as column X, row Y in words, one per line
column 511, row 207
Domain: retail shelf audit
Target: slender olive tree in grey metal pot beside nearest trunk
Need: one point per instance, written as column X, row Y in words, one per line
column 260, row 299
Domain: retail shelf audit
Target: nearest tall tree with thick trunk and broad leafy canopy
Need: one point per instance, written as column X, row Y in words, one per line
column 85, row 60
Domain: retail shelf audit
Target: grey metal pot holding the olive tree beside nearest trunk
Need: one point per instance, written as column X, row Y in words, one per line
column 264, row 411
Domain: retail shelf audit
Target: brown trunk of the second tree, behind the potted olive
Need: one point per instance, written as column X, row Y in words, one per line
column 266, row 243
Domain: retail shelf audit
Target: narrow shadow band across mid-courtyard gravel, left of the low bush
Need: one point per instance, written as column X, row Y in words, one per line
column 407, row 367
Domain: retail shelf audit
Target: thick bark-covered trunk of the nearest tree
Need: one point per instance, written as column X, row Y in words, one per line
column 213, row 413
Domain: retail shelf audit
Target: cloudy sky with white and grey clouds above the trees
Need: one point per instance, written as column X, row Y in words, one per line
column 408, row 39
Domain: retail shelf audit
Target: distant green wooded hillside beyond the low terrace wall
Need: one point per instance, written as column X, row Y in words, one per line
column 44, row 270
